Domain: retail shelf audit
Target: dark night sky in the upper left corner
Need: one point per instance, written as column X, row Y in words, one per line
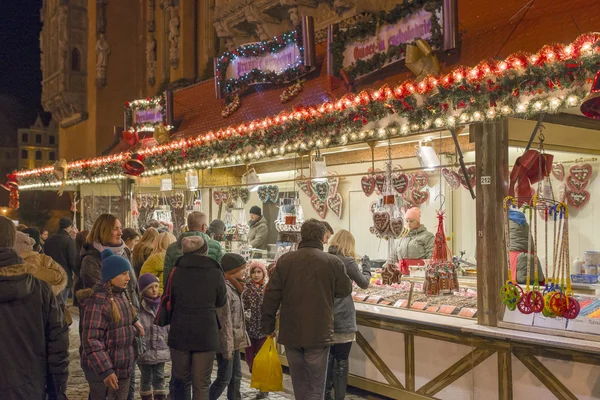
column 20, row 73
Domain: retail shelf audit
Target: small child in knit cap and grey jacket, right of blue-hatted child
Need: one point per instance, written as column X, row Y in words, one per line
column 152, row 361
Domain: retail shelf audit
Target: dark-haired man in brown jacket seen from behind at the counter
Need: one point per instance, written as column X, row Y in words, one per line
column 305, row 283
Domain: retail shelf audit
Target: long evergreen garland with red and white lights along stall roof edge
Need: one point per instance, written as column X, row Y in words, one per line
column 520, row 86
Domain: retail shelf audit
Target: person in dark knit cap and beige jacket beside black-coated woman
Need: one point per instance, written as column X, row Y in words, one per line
column 232, row 334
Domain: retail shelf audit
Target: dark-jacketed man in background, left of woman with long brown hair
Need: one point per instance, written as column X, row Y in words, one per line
column 62, row 249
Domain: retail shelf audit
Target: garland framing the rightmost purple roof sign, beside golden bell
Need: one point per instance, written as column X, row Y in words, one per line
column 369, row 25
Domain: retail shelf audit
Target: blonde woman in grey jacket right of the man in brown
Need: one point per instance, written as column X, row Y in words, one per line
column 342, row 245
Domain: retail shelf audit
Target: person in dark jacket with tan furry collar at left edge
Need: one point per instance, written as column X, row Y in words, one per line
column 34, row 339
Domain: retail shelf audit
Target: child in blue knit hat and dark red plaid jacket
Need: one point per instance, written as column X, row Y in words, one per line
column 108, row 331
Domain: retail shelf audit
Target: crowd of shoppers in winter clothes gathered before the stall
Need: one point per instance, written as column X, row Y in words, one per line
column 220, row 305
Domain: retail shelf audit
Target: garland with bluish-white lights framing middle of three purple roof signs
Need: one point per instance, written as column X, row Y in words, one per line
column 277, row 44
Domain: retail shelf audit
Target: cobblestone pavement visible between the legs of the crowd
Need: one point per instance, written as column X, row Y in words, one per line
column 78, row 387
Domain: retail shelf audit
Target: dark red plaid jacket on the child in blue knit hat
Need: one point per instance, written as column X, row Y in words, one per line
column 107, row 345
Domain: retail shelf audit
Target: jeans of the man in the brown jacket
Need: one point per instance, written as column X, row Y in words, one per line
column 308, row 368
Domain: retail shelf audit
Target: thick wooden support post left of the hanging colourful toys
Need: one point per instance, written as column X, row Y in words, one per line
column 491, row 160
